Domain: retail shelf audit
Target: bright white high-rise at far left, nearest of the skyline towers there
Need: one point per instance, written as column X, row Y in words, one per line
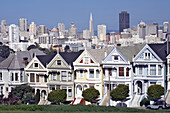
column 13, row 33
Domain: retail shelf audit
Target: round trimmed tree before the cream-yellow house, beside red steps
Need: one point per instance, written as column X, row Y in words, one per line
column 90, row 95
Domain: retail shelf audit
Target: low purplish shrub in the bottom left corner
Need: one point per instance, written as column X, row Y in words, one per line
column 11, row 100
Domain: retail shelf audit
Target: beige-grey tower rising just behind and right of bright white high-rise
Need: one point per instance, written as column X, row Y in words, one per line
column 23, row 24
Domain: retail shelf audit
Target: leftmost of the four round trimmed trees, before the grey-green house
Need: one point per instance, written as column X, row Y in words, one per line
column 57, row 96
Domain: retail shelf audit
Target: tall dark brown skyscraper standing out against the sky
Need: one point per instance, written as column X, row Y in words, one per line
column 123, row 20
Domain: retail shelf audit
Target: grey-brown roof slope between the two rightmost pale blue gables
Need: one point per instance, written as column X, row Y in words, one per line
column 130, row 52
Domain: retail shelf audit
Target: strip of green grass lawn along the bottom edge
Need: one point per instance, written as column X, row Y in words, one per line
column 73, row 109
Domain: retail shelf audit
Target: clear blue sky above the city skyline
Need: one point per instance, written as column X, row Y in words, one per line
column 51, row 12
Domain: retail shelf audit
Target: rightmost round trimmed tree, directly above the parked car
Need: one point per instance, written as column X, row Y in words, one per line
column 155, row 92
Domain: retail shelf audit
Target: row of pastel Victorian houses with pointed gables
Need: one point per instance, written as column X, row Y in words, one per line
column 135, row 66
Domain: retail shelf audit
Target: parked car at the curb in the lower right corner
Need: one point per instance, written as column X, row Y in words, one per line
column 157, row 105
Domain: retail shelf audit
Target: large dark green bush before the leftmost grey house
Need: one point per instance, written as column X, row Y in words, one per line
column 23, row 92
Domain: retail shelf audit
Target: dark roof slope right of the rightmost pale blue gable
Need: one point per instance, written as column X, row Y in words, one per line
column 160, row 50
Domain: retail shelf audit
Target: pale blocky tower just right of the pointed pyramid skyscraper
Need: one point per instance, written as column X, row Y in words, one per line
column 101, row 31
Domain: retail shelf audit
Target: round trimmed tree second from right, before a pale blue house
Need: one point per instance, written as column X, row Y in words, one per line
column 120, row 93
